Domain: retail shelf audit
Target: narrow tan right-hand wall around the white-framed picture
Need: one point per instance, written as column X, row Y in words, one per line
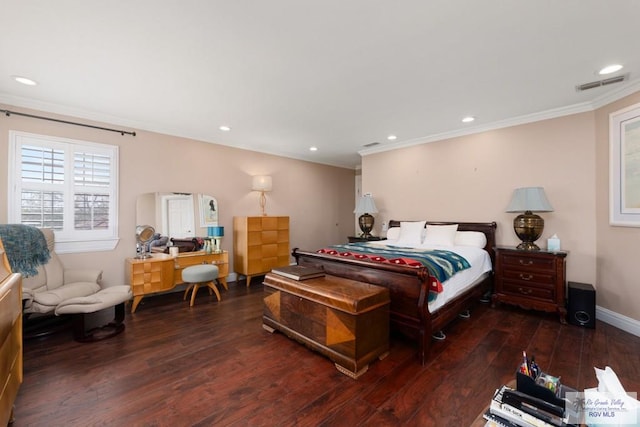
column 618, row 273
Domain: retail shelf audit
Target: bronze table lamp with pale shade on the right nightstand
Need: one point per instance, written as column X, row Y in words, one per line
column 528, row 226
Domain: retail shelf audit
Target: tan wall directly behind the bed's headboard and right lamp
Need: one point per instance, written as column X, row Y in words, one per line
column 472, row 178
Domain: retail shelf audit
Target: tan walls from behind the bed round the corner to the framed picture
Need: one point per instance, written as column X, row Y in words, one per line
column 471, row 179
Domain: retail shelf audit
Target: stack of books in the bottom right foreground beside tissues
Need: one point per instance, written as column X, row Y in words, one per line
column 511, row 408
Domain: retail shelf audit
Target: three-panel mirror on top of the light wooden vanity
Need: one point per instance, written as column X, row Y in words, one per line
column 183, row 216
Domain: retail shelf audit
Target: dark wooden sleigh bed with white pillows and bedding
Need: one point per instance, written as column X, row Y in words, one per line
column 418, row 309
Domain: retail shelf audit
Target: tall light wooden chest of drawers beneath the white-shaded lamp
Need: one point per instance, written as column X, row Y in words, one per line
column 260, row 243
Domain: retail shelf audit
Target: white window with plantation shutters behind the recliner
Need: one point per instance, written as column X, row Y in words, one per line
column 68, row 185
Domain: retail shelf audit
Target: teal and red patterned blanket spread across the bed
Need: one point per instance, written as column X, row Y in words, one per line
column 440, row 263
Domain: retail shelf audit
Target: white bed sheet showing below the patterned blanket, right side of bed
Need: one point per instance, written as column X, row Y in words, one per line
column 480, row 262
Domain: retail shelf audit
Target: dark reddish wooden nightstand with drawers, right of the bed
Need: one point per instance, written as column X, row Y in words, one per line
column 531, row 279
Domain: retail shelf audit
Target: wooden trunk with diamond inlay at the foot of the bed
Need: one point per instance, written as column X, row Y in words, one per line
column 345, row 320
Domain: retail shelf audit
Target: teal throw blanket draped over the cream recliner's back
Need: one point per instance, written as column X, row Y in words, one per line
column 25, row 246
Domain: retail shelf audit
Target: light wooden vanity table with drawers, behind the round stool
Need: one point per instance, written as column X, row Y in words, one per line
column 162, row 272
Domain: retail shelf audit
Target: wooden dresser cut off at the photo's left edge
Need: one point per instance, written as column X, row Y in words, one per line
column 10, row 338
